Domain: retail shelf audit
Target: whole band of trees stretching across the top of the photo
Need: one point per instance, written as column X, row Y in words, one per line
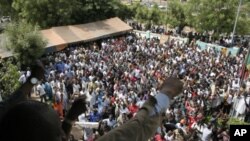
column 203, row 15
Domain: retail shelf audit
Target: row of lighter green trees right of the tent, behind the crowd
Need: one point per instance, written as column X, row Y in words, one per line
column 203, row 15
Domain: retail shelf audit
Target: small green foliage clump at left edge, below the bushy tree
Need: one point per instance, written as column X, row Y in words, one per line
column 9, row 76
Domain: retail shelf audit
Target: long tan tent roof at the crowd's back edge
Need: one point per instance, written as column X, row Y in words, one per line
column 84, row 32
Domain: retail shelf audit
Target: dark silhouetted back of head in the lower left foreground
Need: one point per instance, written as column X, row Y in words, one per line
column 28, row 121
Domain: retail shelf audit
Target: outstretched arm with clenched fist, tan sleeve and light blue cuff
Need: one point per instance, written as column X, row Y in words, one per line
column 149, row 118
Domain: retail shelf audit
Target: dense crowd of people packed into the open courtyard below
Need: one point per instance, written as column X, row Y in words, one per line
column 118, row 74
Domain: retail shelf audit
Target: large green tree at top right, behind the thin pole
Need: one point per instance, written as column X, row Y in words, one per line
column 216, row 15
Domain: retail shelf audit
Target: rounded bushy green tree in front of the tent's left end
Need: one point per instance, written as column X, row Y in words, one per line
column 25, row 41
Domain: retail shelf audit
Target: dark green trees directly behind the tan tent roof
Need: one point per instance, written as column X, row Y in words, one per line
column 48, row 13
